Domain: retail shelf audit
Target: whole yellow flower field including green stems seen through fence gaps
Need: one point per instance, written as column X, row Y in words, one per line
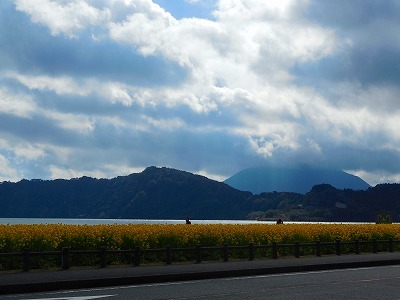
column 38, row 238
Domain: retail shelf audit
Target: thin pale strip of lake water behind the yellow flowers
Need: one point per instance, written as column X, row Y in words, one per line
column 134, row 221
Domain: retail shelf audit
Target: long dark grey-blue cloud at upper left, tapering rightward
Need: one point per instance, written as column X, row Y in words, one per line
column 81, row 58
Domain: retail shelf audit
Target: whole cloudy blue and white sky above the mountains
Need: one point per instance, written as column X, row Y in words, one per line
column 104, row 88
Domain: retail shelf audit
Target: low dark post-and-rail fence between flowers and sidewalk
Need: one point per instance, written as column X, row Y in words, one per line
column 274, row 250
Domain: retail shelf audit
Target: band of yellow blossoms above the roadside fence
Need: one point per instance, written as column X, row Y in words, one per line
column 52, row 237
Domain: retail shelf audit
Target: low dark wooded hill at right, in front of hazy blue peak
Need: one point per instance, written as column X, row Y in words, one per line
column 325, row 203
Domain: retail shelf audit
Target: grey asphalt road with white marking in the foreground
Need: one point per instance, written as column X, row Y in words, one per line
column 362, row 283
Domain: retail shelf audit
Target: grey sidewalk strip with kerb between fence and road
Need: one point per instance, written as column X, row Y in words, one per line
column 173, row 275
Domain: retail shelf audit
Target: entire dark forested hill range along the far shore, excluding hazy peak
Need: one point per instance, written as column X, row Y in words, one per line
column 164, row 193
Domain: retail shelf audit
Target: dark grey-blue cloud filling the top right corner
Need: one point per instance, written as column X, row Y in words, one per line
column 369, row 52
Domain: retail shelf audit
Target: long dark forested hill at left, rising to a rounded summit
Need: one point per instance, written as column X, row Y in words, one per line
column 155, row 193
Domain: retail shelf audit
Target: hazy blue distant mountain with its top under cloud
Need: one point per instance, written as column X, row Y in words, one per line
column 297, row 180
